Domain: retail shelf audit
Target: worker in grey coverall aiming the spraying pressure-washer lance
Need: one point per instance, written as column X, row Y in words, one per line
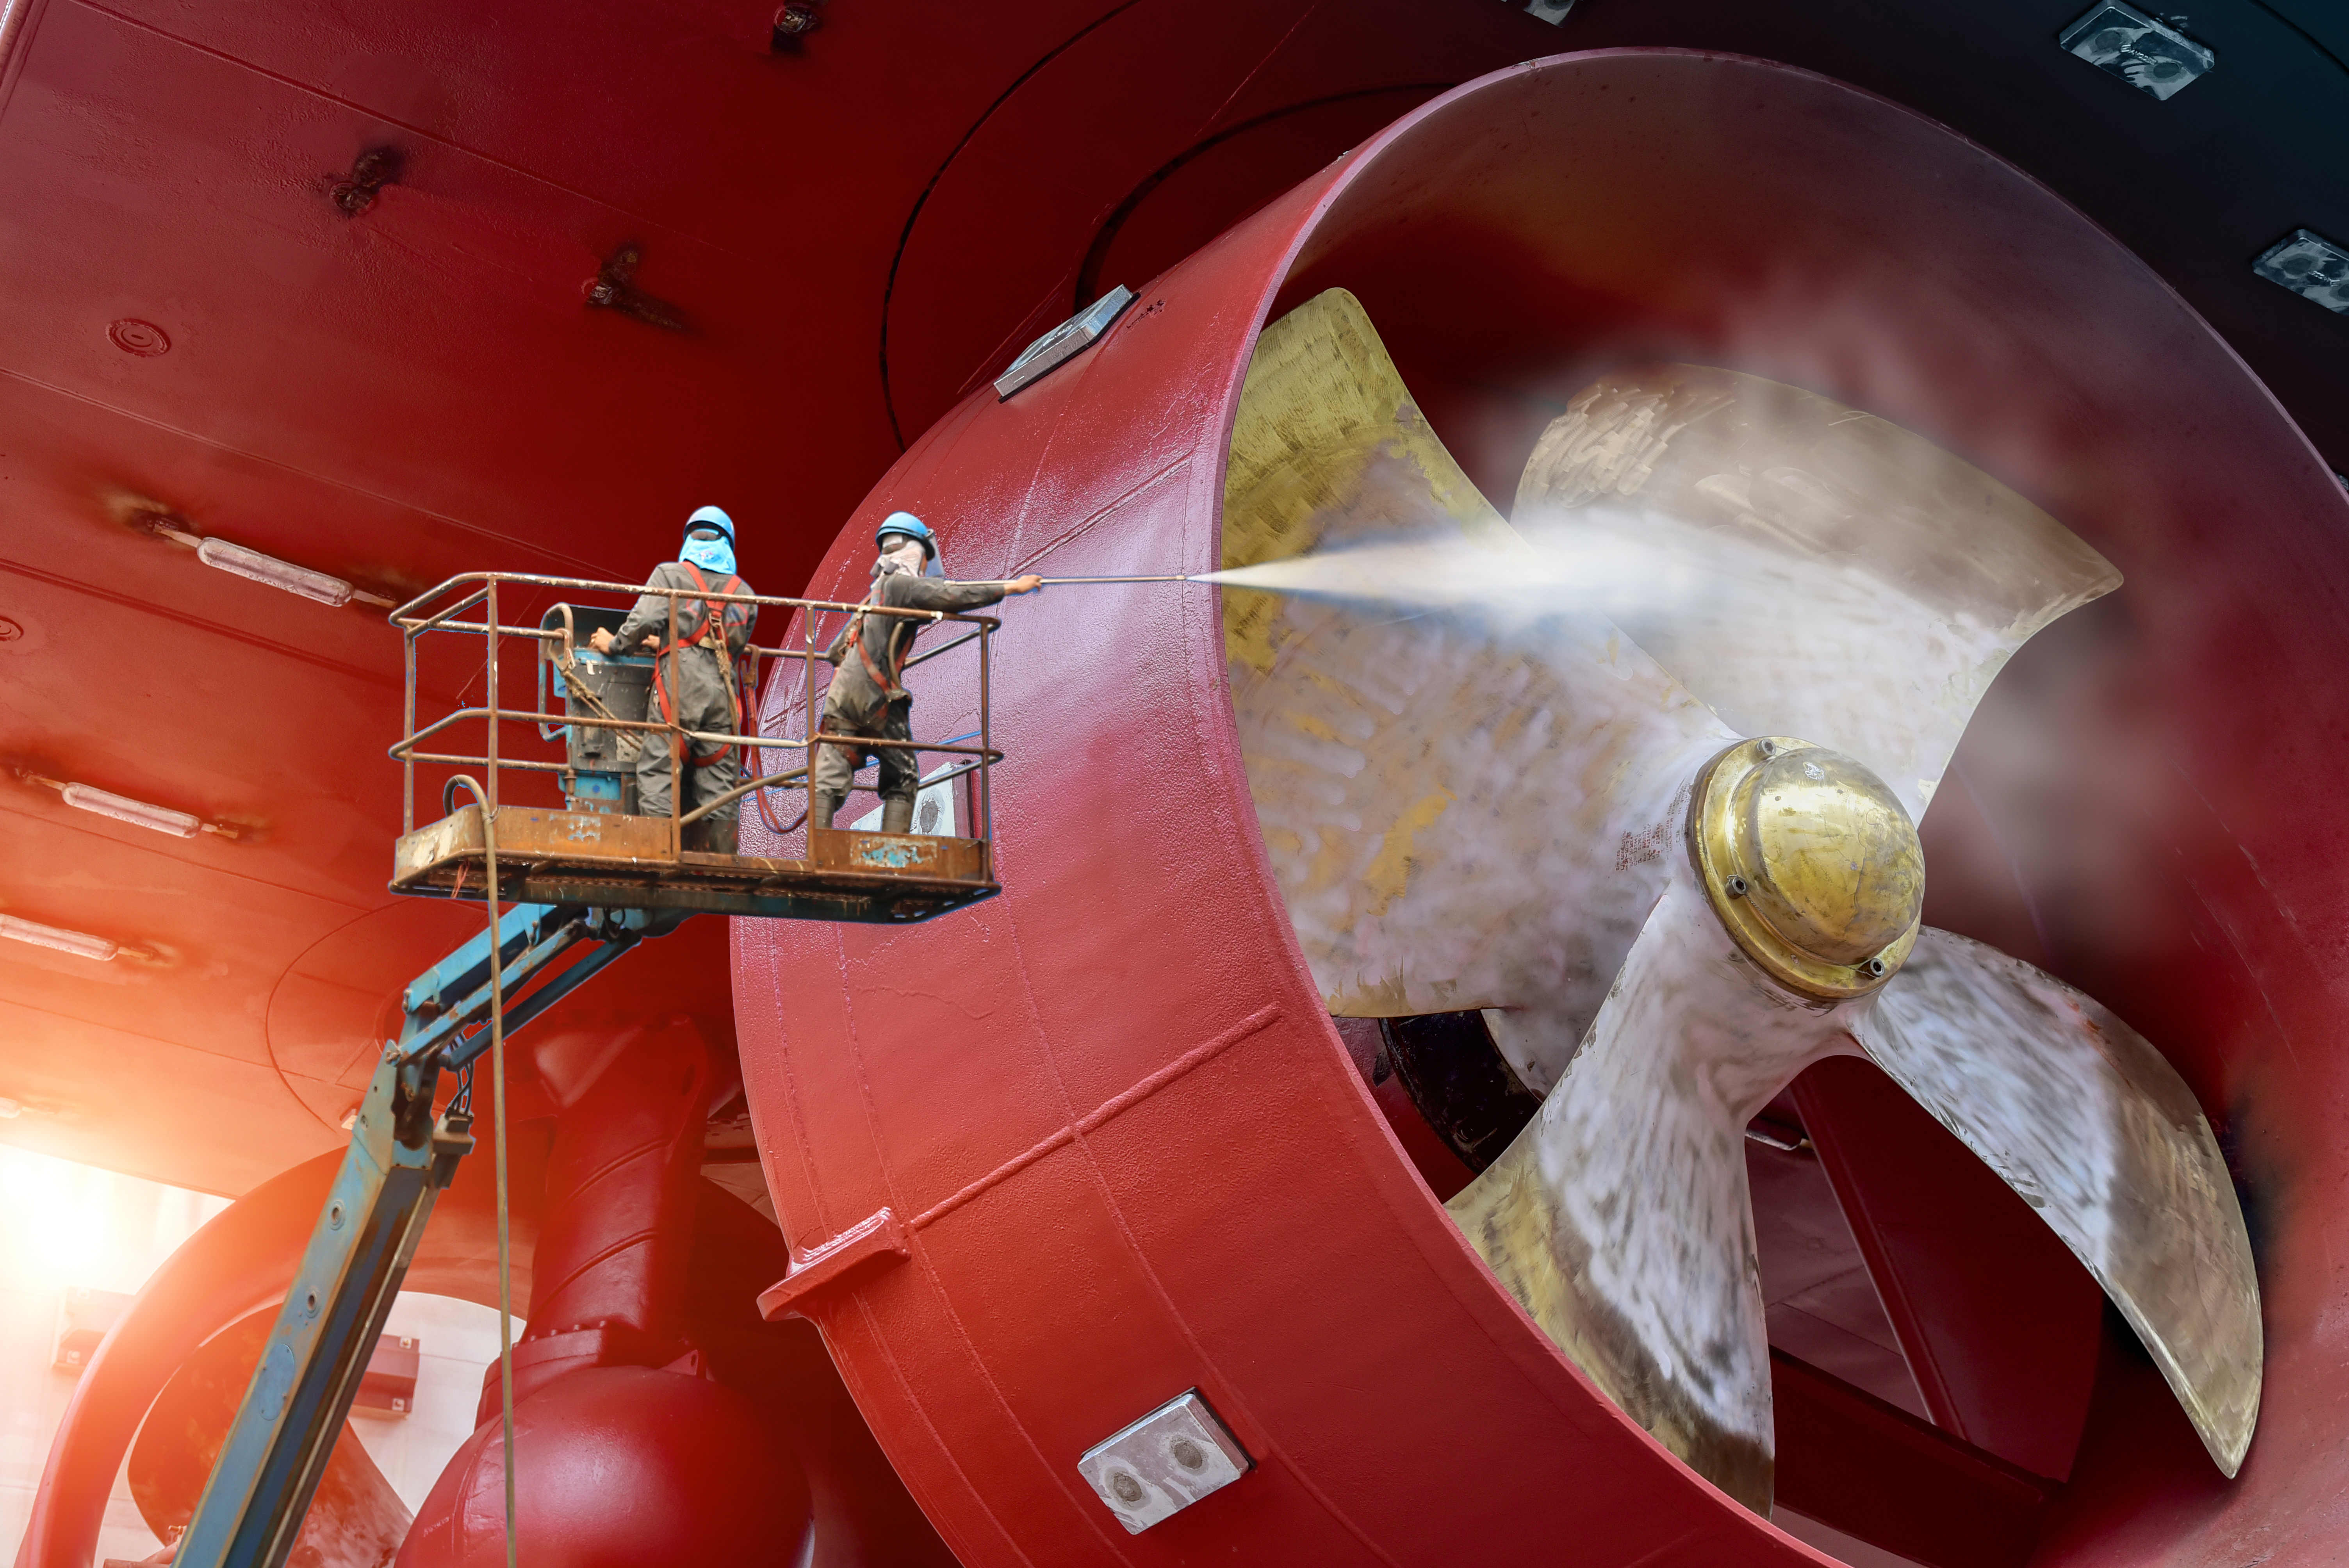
column 868, row 696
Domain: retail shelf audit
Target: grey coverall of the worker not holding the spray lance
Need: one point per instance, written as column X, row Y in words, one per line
column 689, row 689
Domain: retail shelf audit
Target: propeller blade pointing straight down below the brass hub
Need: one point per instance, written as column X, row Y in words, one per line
column 1622, row 1219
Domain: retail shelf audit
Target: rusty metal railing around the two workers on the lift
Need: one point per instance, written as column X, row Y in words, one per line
column 443, row 609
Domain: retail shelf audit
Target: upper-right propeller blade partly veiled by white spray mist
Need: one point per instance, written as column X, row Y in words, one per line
column 1810, row 569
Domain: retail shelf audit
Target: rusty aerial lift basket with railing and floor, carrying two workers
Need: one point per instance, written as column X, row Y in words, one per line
column 581, row 844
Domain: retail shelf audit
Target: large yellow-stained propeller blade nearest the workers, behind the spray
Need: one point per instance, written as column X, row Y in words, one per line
column 1460, row 813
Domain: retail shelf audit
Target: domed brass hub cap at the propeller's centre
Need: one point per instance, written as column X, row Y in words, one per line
column 1810, row 863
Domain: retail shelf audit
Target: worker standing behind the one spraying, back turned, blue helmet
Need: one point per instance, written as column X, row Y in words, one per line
column 694, row 684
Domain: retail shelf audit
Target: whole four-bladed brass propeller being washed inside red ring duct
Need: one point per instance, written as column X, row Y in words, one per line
column 1638, row 776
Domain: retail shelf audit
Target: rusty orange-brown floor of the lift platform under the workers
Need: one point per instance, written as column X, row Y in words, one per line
column 631, row 863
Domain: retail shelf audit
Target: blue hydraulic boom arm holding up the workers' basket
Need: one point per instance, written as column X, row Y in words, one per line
column 365, row 1238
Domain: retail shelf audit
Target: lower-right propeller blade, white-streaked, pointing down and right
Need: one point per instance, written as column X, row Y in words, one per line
column 2087, row 1121
